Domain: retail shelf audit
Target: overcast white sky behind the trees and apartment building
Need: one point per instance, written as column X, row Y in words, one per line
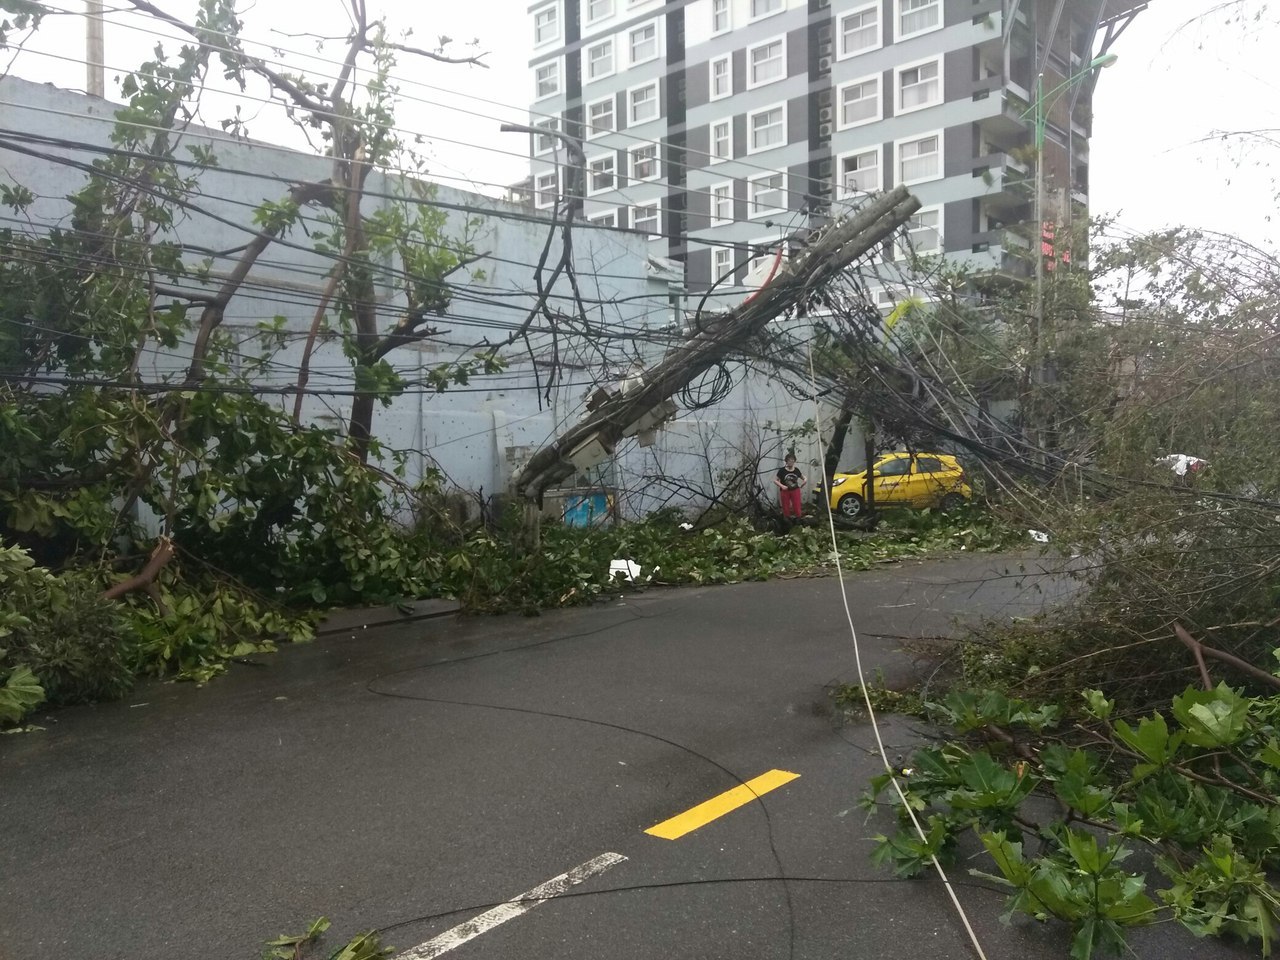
column 1172, row 88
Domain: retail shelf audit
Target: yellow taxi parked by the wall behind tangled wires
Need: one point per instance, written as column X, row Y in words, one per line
column 903, row 481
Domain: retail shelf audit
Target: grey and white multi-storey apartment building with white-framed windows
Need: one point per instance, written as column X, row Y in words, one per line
column 721, row 126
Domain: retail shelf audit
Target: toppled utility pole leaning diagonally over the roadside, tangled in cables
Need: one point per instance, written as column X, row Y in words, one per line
column 829, row 253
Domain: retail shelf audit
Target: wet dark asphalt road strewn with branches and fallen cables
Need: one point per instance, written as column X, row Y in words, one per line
column 414, row 778
